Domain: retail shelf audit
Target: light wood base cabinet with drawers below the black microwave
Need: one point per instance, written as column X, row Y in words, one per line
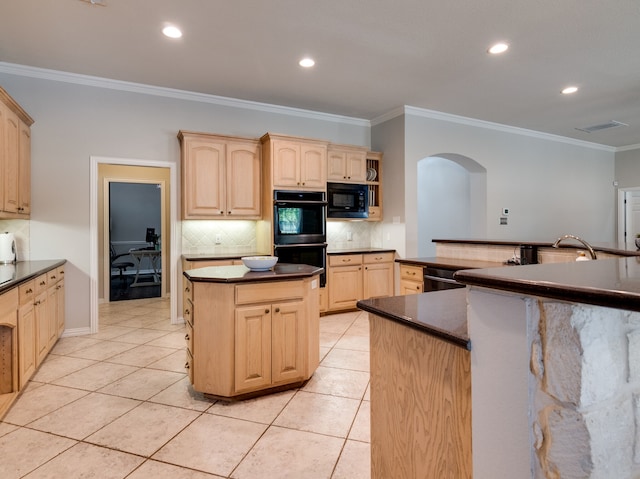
column 352, row 277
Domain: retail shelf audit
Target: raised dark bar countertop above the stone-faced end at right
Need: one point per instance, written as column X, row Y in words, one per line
column 614, row 283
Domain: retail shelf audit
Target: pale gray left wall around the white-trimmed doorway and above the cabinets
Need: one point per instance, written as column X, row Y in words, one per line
column 75, row 121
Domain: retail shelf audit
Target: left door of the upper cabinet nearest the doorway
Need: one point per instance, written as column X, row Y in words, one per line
column 203, row 178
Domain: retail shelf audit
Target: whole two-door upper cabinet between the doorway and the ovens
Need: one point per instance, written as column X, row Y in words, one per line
column 220, row 176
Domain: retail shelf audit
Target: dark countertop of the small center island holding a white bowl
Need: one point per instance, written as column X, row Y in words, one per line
column 242, row 274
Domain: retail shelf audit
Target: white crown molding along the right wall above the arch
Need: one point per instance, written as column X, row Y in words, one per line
column 488, row 125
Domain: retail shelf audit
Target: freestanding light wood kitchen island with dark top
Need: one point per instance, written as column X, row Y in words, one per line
column 251, row 332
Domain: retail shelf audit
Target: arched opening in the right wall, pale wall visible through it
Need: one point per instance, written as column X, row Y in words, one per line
column 452, row 198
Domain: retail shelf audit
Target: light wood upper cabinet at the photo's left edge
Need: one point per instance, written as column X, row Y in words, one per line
column 15, row 159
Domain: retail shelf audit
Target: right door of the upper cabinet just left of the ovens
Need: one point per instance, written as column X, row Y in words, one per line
column 243, row 180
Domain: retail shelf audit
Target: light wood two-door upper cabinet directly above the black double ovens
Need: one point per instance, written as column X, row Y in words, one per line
column 295, row 163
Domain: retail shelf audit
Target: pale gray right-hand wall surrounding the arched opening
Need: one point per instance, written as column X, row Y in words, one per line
column 550, row 187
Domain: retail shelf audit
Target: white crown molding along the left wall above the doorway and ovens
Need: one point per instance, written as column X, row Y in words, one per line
column 99, row 82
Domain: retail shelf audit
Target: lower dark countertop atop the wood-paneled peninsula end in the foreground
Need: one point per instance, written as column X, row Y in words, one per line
column 442, row 314
